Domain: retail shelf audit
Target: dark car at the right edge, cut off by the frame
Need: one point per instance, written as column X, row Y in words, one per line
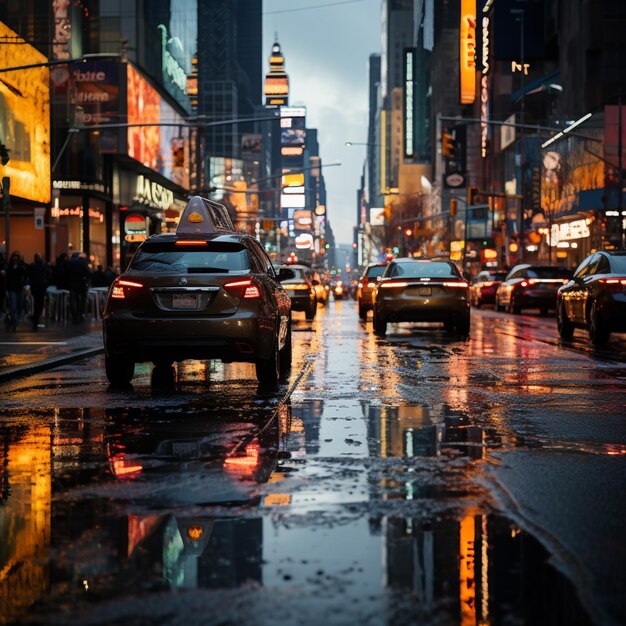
column 595, row 298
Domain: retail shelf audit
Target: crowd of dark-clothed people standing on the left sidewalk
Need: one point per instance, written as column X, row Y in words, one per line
column 71, row 272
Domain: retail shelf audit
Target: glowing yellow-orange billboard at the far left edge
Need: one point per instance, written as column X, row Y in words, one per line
column 25, row 119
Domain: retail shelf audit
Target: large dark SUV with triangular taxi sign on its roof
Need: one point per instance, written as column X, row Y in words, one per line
column 204, row 292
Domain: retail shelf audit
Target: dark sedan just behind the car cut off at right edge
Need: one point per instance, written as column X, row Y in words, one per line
column 531, row 287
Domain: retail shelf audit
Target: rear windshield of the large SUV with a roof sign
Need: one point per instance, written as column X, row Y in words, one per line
column 169, row 258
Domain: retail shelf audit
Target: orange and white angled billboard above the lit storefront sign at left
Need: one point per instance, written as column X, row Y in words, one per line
column 165, row 149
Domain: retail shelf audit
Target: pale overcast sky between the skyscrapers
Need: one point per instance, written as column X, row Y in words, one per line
column 326, row 44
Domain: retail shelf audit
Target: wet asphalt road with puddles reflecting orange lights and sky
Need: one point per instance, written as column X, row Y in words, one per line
column 410, row 479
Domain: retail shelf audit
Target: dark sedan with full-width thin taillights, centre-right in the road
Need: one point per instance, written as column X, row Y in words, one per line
column 412, row 290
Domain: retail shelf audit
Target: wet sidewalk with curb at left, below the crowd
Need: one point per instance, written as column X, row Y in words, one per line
column 26, row 352
